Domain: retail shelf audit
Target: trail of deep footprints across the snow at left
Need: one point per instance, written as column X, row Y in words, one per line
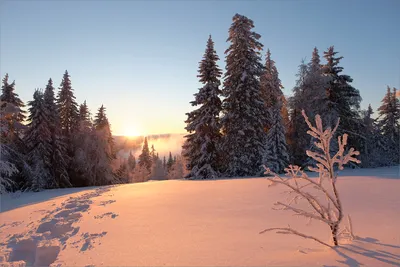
column 42, row 243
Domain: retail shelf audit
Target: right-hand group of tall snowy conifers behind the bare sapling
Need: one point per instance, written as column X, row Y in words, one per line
column 247, row 122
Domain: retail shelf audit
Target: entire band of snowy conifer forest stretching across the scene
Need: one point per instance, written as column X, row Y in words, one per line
column 236, row 127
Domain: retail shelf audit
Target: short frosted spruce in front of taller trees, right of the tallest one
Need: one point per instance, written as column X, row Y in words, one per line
column 276, row 156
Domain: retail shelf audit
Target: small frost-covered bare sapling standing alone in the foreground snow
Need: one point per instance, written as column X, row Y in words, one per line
column 328, row 208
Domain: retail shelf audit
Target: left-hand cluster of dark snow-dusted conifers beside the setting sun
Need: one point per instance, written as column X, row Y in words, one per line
column 60, row 146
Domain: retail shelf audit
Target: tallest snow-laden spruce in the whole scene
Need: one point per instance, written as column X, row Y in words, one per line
column 244, row 115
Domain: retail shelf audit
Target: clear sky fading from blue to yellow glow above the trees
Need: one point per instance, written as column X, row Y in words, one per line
column 140, row 58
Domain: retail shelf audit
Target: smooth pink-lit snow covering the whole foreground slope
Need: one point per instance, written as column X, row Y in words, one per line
column 196, row 223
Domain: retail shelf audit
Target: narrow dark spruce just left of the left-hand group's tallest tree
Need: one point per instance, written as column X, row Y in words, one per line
column 59, row 157
